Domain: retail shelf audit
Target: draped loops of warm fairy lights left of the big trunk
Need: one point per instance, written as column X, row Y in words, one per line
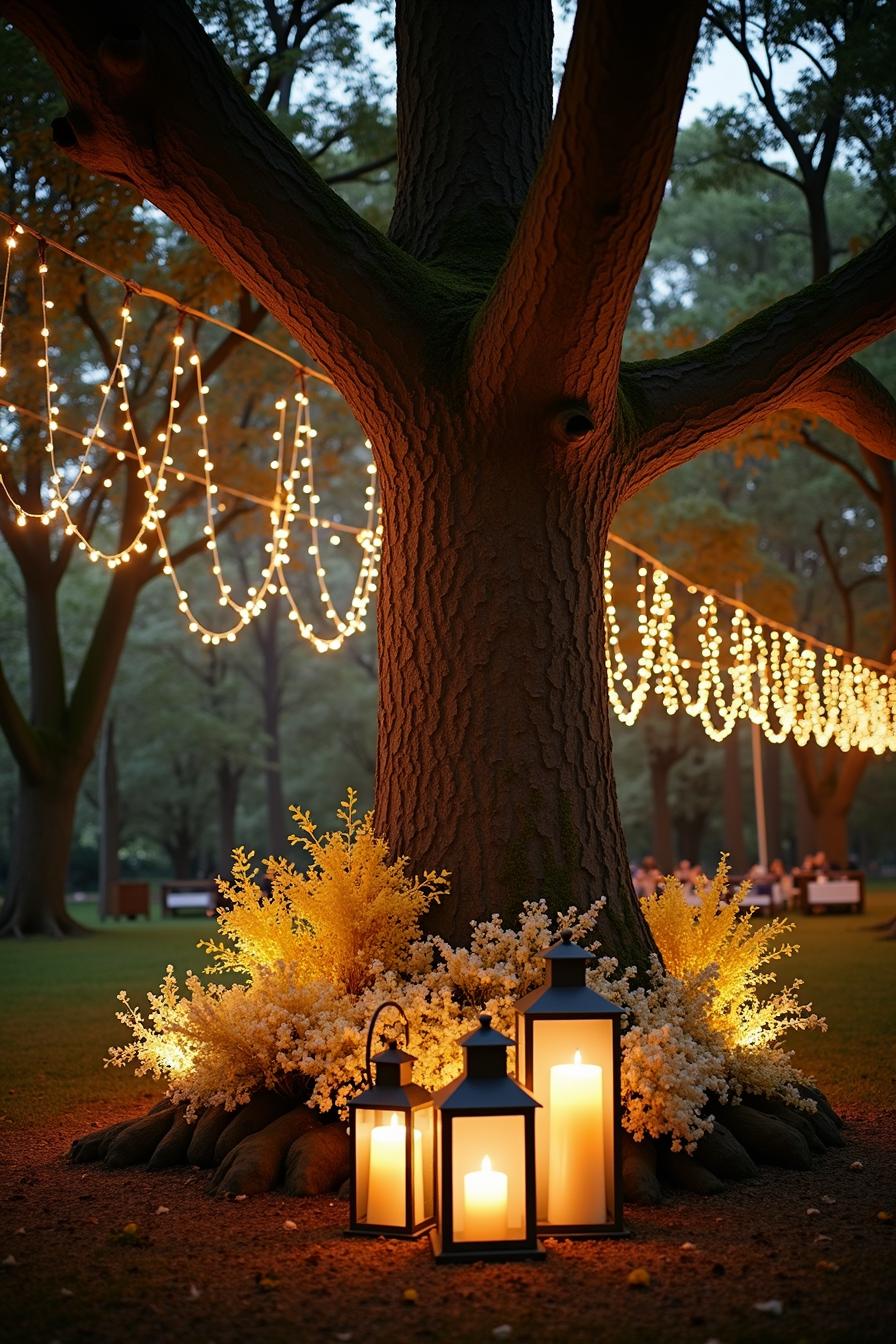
column 294, row 483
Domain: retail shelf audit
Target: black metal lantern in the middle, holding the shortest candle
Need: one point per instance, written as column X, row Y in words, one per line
column 486, row 1158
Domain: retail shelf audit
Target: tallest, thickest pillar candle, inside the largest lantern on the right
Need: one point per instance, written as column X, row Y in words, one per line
column 577, row 1178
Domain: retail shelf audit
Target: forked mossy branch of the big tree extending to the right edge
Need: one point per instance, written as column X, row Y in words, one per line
column 785, row 357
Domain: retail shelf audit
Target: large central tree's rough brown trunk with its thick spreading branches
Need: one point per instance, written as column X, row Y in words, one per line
column 484, row 364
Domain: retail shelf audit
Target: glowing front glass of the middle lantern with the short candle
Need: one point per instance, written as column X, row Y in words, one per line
column 488, row 1162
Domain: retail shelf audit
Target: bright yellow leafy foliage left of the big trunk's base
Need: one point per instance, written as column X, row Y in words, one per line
column 350, row 912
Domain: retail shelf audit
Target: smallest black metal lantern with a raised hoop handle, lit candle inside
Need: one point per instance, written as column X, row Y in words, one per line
column 392, row 1138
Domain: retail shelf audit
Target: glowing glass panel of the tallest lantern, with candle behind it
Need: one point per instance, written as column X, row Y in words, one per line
column 574, row 1131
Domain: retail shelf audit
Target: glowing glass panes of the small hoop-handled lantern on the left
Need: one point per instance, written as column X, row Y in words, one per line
column 381, row 1167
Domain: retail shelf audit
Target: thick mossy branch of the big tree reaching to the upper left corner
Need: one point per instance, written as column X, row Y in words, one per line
column 154, row 104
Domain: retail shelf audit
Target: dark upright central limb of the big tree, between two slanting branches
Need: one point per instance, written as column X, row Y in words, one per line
column 474, row 115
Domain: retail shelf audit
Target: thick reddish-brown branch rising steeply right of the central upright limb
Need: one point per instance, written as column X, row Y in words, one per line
column 588, row 222
